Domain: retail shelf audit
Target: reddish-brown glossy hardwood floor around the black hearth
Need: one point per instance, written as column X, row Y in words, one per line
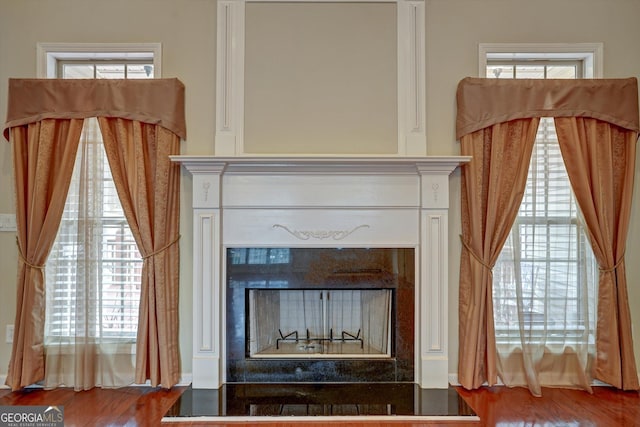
column 496, row 406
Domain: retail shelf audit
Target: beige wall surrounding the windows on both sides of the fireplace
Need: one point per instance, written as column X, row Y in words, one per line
column 186, row 29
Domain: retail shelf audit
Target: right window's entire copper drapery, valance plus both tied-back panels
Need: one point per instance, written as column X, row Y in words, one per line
column 597, row 124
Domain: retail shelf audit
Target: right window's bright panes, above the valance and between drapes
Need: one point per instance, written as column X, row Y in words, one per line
column 546, row 262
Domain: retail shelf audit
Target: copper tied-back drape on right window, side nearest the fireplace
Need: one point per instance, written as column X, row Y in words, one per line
column 490, row 203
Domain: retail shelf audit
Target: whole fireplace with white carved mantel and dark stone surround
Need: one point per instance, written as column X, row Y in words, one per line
column 390, row 214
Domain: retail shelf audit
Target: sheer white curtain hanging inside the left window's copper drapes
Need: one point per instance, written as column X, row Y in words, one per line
column 93, row 281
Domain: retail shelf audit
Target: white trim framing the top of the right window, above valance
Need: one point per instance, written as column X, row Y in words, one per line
column 590, row 54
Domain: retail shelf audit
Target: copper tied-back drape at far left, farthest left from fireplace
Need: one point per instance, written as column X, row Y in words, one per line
column 43, row 157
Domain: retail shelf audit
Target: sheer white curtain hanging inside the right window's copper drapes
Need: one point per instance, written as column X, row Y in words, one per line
column 545, row 281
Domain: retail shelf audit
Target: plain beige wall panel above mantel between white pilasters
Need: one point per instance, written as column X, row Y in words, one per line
column 320, row 78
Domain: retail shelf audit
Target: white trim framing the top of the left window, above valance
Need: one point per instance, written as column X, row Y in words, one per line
column 48, row 54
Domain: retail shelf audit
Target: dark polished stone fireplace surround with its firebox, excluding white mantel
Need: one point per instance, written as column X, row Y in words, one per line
column 320, row 314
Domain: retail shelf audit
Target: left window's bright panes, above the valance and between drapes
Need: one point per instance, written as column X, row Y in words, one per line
column 93, row 271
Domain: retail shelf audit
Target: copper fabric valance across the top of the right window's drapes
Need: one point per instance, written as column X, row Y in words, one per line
column 485, row 102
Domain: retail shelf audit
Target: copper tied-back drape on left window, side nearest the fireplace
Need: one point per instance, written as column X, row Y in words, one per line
column 148, row 186
